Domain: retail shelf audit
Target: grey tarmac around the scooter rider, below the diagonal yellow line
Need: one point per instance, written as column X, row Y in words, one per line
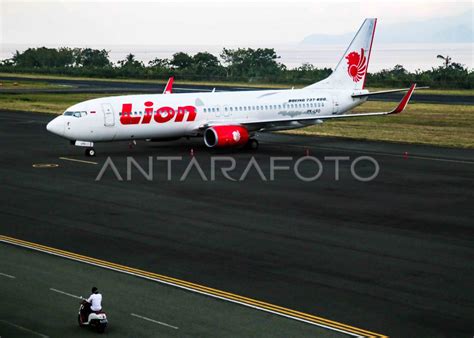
column 42, row 293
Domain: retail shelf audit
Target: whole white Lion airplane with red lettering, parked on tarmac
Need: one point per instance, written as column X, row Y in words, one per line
column 226, row 119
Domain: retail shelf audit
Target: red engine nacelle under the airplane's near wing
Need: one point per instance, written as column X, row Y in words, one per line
column 226, row 136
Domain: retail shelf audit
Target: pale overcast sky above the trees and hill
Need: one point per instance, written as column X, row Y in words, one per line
column 224, row 23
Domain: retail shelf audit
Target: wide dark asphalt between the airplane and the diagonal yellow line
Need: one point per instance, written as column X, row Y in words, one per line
column 393, row 255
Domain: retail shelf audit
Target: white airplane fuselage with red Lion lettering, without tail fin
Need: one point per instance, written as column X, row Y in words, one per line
column 155, row 116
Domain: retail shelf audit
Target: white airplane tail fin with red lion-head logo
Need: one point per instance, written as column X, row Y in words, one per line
column 351, row 71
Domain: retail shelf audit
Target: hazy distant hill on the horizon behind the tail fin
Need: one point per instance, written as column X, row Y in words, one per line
column 440, row 30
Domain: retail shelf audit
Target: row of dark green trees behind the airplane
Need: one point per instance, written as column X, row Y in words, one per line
column 232, row 65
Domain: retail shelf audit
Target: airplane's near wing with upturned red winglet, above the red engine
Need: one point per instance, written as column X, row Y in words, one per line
column 262, row 125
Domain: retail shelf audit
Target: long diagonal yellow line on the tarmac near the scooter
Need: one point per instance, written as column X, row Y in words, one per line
column 256, row 304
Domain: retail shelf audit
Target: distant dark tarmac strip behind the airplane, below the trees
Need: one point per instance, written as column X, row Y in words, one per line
column 98, row 86
